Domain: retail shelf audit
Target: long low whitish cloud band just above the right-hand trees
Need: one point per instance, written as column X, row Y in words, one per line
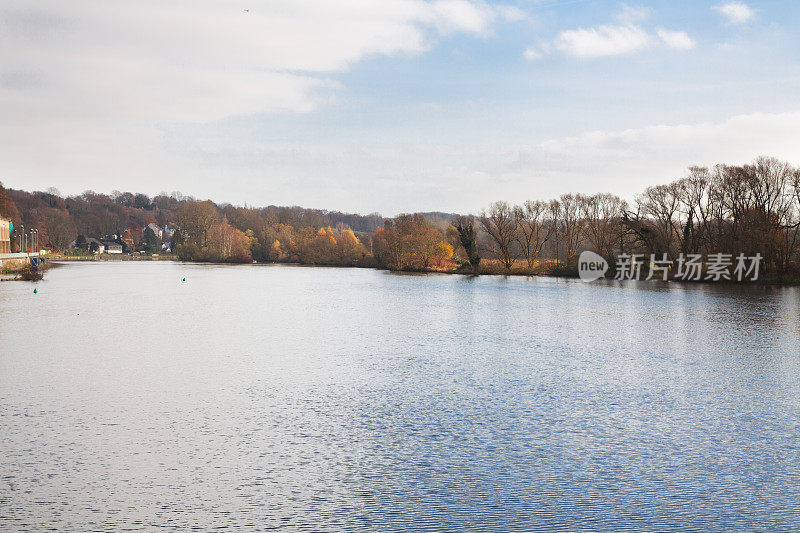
column 435, row 174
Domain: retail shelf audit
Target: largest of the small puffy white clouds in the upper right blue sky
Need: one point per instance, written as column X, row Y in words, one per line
column 603, row 41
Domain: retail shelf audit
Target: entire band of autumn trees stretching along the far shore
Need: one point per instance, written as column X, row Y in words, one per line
column 750, row 209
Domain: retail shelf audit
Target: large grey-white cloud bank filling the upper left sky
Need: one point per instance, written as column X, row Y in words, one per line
column 202, row 60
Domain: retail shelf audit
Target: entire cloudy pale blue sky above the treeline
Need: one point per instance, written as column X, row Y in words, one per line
column 391, row 105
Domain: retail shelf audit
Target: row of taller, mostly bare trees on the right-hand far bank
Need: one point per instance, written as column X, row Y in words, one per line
column 729, row 209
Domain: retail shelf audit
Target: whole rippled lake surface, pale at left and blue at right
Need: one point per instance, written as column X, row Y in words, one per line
column 328, row 399
